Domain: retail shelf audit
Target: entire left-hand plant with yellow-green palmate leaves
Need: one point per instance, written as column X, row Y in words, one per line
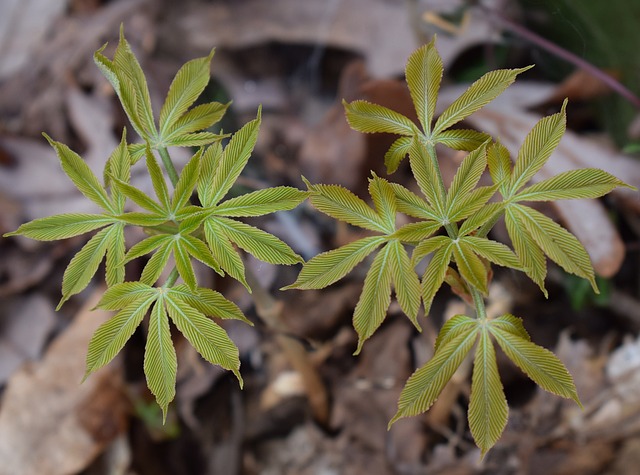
column 178, row 231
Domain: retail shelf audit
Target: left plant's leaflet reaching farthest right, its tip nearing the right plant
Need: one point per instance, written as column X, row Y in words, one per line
column 261, row 202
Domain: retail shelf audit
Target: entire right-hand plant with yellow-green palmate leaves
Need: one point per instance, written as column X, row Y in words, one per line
column 450, row 228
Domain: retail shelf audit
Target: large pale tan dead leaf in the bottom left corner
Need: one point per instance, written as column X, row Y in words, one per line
column 49, row 422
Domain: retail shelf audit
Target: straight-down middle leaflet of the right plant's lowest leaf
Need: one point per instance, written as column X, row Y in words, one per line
column 488, row 410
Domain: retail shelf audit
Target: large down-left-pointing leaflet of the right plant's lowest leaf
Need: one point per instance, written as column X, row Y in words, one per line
column 425, row 385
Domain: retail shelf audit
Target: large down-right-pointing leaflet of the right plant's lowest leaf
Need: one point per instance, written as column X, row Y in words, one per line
column 542, row 366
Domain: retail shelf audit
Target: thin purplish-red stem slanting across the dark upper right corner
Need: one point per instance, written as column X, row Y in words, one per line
column 560, row 52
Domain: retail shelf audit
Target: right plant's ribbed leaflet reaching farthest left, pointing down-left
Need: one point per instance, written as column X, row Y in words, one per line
column 331, row 266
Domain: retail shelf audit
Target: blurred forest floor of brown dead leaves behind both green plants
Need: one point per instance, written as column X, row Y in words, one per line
column 309, row 407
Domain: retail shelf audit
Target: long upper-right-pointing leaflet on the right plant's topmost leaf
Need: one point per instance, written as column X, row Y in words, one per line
column 479, row 94
